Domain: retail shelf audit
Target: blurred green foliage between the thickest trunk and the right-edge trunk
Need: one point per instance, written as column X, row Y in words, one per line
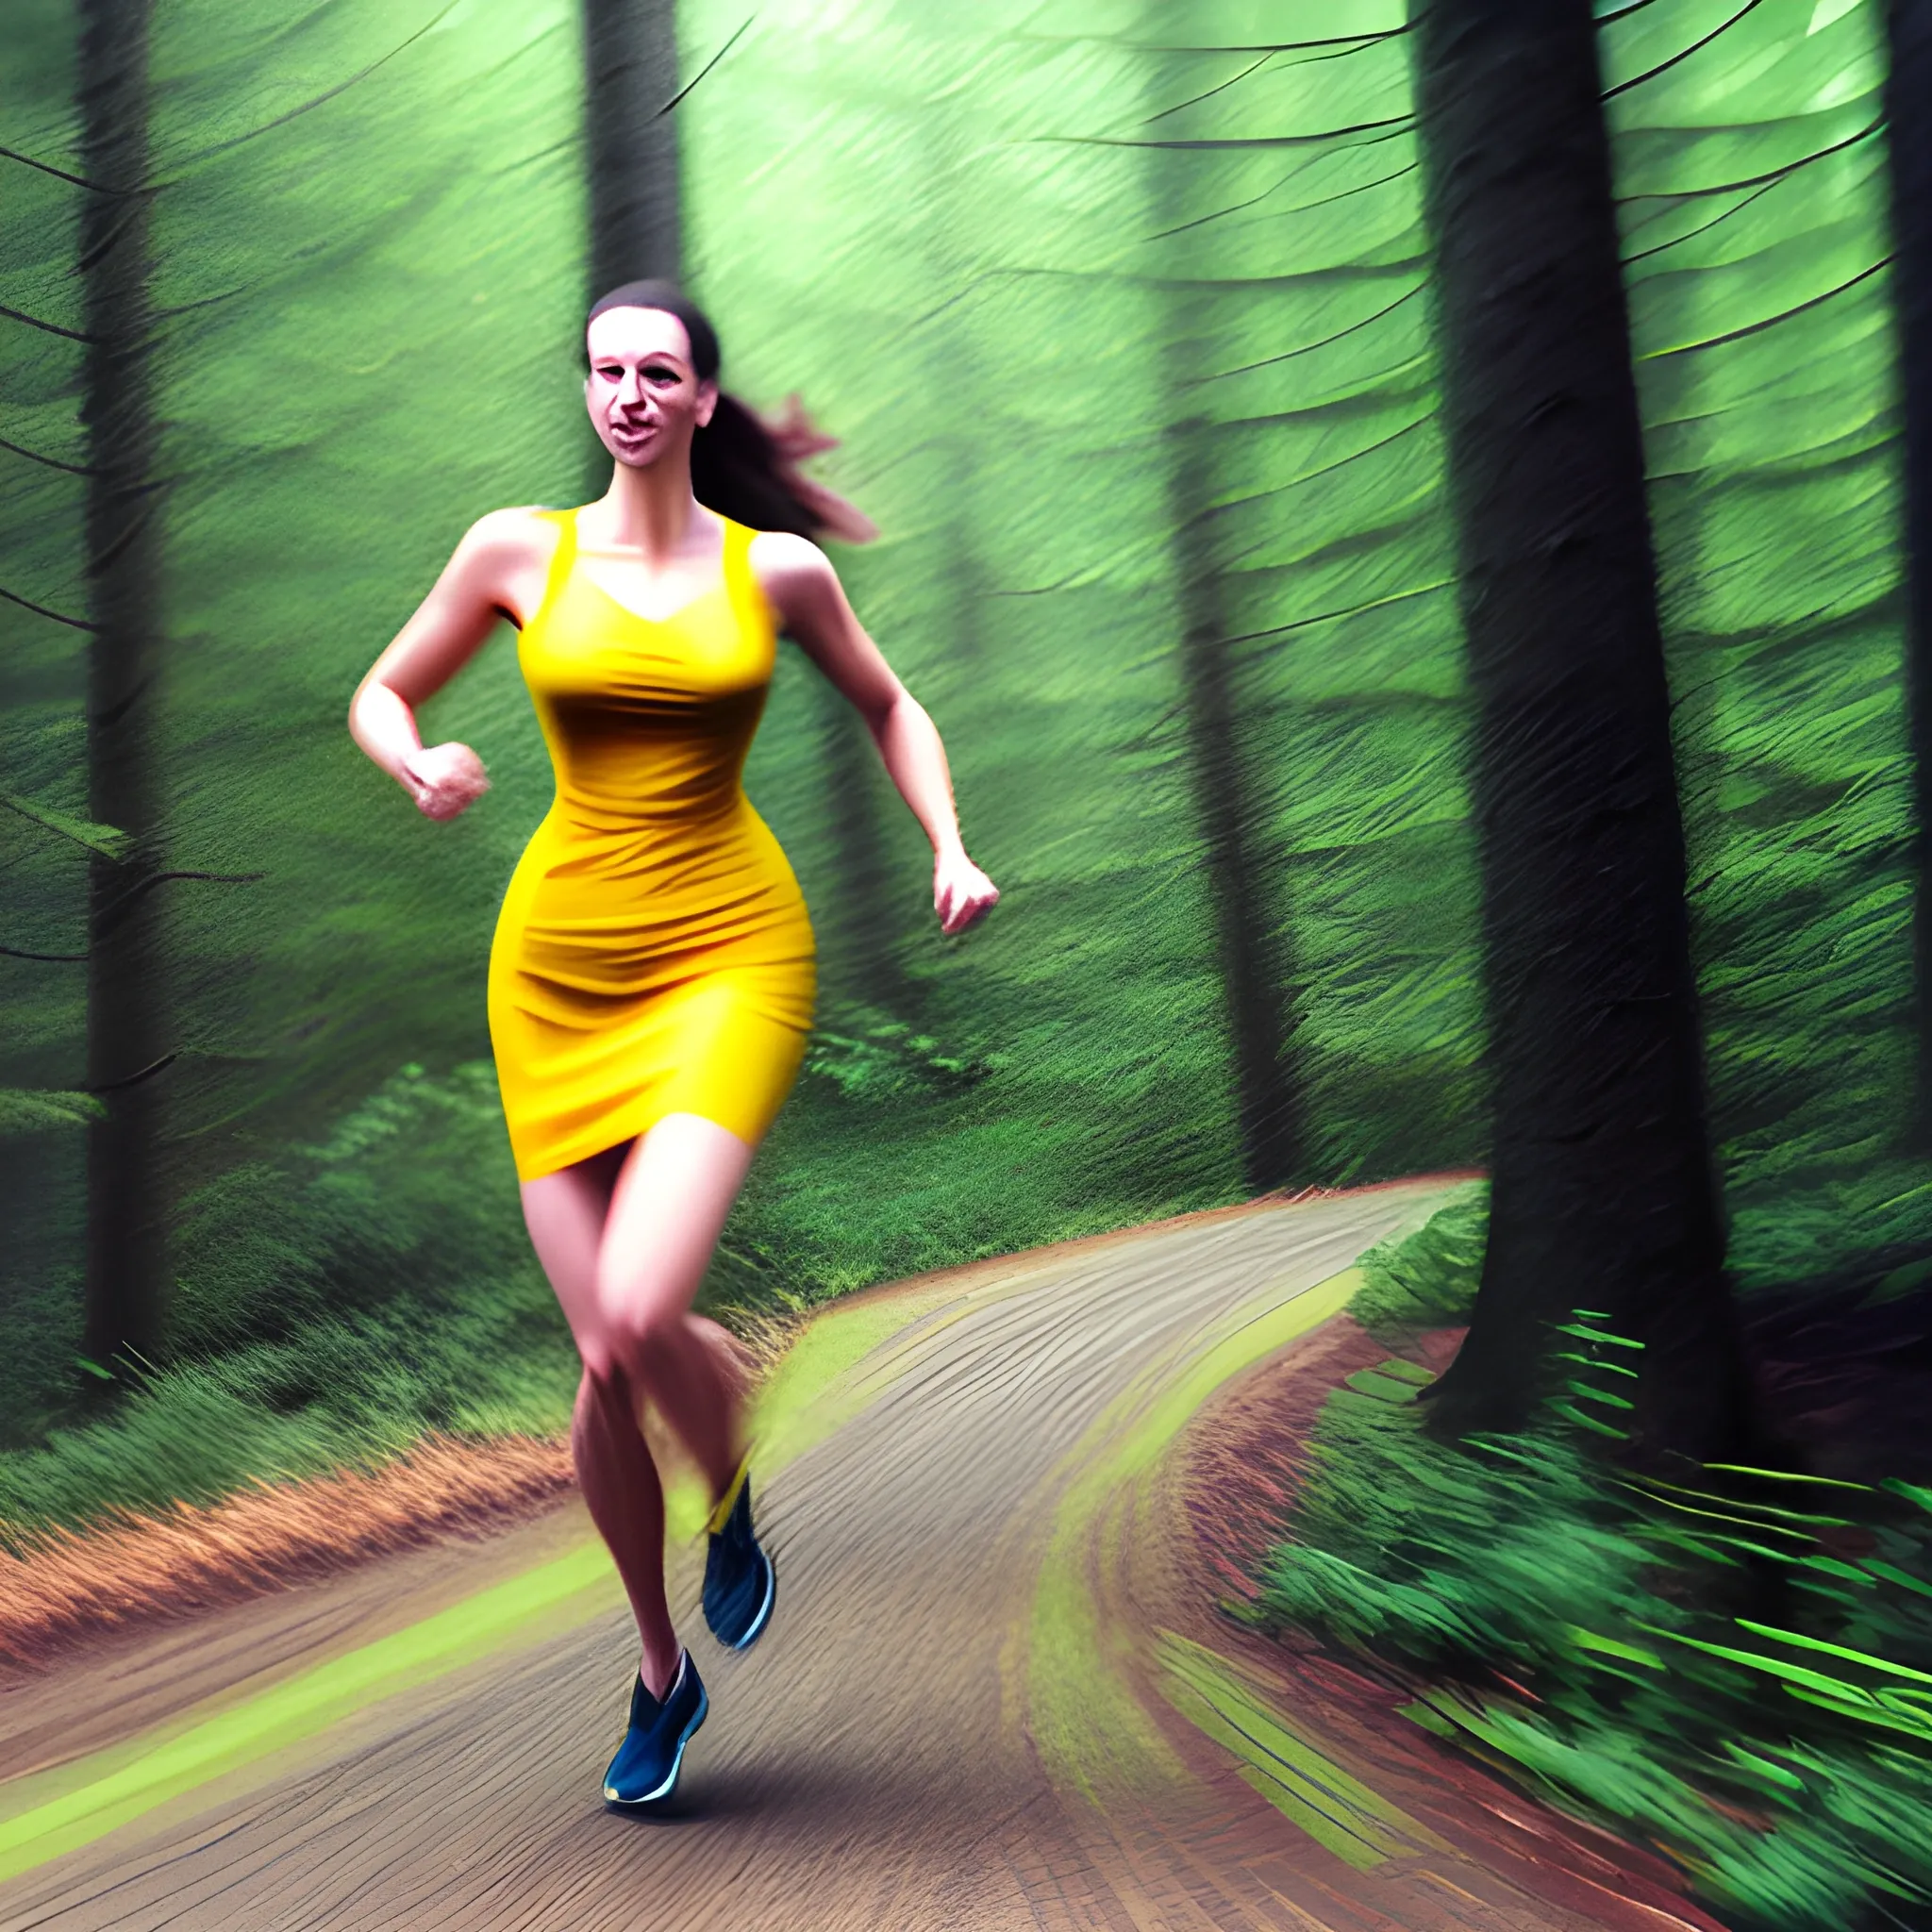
column 1751, row 175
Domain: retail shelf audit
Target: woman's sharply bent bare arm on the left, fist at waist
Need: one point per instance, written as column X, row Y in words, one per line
column 486, row 581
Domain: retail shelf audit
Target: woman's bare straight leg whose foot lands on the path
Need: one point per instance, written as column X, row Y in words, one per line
column 621, row 1487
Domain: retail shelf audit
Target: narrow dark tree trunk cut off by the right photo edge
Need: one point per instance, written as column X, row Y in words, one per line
column 1910, row 136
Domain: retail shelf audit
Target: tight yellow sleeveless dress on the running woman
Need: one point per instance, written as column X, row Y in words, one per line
column 654, row 952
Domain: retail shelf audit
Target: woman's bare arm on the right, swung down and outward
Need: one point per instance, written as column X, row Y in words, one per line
column 812, row 608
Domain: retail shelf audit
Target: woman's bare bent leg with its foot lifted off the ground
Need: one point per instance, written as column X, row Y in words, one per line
column 666, row 1218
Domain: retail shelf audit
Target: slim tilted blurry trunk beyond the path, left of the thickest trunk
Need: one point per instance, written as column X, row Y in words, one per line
column 1253, row 957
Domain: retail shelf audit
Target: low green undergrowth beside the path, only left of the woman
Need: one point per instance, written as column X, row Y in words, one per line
column 329, row 1309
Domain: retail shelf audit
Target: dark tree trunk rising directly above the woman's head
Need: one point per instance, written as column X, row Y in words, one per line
column 631, row 78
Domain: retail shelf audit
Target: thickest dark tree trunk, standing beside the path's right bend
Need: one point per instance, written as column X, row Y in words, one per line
column 1605, row 1195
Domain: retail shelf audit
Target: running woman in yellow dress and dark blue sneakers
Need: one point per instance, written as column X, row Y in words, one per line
column 652, row 979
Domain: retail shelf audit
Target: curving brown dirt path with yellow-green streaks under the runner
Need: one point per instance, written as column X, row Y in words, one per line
column 986, row 1699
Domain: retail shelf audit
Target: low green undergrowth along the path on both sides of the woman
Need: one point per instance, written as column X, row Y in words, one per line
column 337, row 1305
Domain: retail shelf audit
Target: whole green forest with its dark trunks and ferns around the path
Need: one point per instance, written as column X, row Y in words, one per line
column 1427, row 577
